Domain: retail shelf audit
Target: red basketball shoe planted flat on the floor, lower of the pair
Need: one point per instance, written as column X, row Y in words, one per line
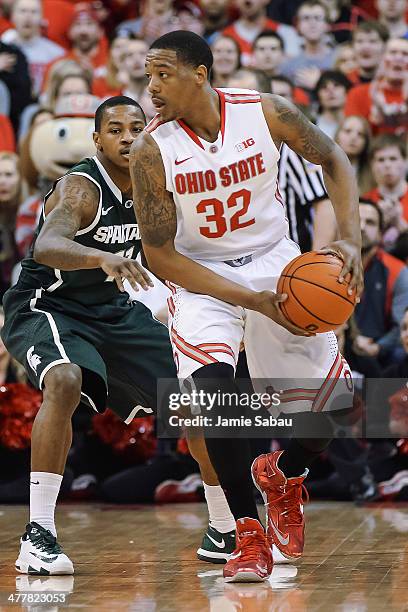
column 251, row 560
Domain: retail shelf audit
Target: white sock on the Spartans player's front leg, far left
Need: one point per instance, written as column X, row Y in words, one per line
column 44, row 489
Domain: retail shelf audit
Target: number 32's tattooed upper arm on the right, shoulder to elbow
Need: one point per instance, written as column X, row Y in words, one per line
column 300, row 134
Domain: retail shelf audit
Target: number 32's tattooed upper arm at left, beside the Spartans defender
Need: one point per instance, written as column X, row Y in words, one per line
column 154, row 205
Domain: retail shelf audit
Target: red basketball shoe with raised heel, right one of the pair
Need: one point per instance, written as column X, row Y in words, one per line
column 283, row 497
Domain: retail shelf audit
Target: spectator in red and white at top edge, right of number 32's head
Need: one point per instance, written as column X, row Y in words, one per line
column 253, row 21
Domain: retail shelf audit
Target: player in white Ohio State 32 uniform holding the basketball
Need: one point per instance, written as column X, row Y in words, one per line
column 204, row 178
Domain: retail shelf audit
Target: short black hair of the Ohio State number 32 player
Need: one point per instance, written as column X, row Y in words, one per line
column 190, row 48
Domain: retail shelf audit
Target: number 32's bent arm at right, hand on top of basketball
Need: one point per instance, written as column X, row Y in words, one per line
column 288, row 124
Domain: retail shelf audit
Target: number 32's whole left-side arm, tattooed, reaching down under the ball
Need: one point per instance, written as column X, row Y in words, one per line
column 156, row 215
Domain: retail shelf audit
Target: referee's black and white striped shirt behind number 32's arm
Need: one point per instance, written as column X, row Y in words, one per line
column 301, row 186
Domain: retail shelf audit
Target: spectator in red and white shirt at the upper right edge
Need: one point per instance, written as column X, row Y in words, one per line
column 384, row 101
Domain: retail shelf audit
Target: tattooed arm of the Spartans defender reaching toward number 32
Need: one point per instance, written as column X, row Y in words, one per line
column 71, row 207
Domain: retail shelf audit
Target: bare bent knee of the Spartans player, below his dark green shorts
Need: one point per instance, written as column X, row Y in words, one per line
column 62, row 384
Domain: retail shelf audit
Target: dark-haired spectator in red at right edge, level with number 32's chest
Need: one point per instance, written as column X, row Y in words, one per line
column 389, row 168
